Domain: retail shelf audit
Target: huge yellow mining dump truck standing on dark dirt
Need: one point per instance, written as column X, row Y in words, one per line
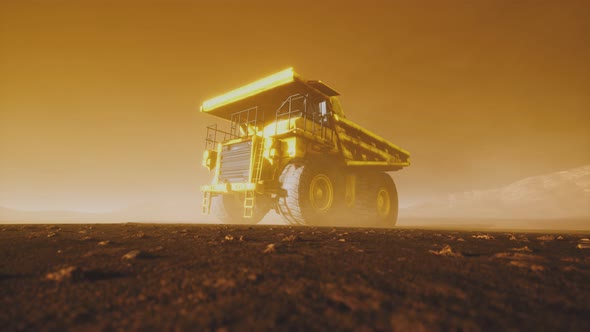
column 286, row 145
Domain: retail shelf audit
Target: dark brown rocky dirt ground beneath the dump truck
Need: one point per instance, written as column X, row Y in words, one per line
column 208, row 277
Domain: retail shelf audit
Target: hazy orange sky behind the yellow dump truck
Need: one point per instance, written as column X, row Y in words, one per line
column 99, row 99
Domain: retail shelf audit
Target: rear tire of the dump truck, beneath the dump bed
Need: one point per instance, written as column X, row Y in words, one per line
column 376, row 201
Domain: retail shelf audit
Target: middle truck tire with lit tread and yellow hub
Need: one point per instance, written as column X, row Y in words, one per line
column 310, row 193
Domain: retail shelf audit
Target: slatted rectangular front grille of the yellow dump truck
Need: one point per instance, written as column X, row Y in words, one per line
column 235, row 162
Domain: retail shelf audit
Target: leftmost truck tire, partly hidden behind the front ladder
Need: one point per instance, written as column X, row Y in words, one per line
column 229, row 208
